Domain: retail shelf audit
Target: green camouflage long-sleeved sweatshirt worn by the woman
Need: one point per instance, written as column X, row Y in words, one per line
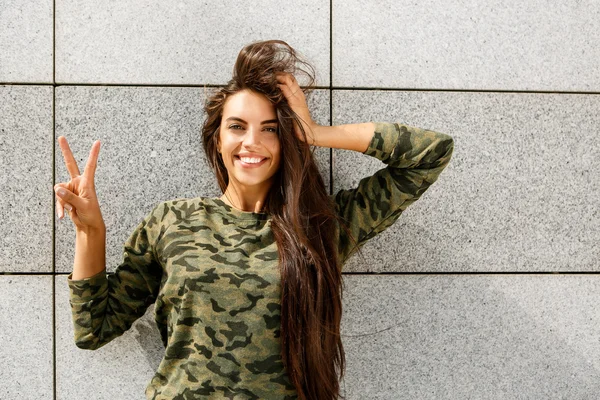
column 212, row 272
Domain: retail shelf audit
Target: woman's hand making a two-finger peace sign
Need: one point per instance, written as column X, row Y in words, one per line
column 80, row 192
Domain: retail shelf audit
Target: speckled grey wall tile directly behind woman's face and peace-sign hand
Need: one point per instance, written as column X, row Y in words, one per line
column 150, row 152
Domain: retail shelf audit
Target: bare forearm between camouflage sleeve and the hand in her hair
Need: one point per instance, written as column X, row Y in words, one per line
column 349, row 136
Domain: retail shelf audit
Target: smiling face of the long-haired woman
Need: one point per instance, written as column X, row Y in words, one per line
column 248, row 141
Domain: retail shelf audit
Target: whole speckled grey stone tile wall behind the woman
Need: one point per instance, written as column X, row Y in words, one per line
column 445, row 319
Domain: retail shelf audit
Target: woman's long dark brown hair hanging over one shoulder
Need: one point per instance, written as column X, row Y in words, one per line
column 303, row 224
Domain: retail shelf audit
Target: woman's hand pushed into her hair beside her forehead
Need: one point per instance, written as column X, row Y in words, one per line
column 297, row 101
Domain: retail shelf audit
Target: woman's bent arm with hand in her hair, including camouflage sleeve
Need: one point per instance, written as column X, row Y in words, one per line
column 415, row 158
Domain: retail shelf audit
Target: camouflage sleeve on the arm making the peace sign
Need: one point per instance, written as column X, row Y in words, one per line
column 105, row 306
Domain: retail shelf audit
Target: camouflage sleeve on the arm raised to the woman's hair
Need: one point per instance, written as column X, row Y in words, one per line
column 415, row 158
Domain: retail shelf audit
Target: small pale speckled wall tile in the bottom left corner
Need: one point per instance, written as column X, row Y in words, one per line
column 26, row 337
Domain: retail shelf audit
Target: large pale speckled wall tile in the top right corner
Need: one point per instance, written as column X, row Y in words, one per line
column 487, row 45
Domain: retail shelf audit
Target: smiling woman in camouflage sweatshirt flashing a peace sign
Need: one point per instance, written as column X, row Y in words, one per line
column 247, row 286
